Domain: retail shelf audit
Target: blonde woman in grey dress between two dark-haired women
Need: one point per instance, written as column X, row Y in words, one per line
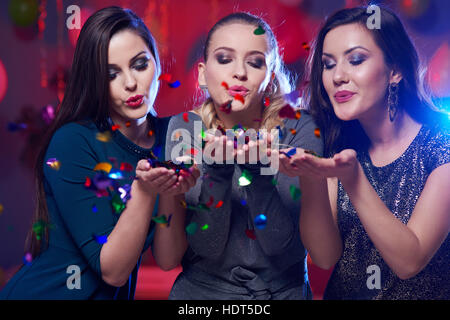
column 242, row 224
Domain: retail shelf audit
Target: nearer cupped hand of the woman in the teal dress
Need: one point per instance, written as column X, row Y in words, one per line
column 154, row 180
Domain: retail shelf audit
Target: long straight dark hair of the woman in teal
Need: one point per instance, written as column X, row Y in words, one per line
column 86, row 95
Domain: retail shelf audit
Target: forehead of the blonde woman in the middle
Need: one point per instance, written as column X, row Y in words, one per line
column 240, row 37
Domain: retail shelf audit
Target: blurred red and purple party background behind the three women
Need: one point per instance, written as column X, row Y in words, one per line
column 36, row 54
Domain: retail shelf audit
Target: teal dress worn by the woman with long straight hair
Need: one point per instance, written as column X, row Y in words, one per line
column 80, row 218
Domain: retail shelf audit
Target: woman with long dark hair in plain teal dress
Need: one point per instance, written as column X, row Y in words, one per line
column 98, row 197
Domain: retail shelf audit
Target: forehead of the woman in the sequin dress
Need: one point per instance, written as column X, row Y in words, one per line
column 344, row 37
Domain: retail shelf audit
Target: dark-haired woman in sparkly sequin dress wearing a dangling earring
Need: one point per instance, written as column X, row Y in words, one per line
column 378, row 208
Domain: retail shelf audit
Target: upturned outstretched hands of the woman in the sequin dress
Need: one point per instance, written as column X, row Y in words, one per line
column 343, row 165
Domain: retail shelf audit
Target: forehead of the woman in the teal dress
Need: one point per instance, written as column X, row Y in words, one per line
column 125, row 44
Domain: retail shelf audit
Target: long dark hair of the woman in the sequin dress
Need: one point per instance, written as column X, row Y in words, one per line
column 399, row 53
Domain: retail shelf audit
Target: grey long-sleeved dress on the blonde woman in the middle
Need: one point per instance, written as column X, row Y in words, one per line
column 230, row 259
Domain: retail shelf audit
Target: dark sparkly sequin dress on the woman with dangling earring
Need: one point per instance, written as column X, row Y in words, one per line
column 399, row 184
